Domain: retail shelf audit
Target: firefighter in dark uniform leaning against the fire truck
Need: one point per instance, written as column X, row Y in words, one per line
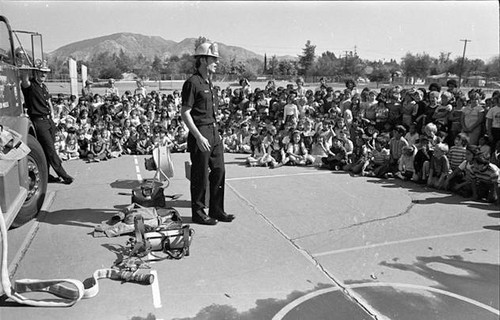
column 37, row 99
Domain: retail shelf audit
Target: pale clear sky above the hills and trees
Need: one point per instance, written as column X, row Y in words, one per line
column 376, row 30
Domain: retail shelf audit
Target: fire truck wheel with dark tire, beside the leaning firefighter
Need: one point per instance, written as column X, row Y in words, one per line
column 37, row 183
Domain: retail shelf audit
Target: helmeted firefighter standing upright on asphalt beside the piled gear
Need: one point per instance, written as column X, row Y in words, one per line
column 199, row 109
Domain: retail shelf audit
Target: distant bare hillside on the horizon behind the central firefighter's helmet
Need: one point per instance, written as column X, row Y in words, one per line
column 134, row 44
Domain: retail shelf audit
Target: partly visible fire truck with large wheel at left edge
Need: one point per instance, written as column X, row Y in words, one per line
column 23, row 182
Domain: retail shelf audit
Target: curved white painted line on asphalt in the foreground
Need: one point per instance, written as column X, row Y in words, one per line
column 292, row 305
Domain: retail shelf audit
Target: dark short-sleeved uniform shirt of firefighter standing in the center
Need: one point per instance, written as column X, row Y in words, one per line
column 198, row 95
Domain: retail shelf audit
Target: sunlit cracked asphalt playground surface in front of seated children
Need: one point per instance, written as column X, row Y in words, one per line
column 306, row 244
